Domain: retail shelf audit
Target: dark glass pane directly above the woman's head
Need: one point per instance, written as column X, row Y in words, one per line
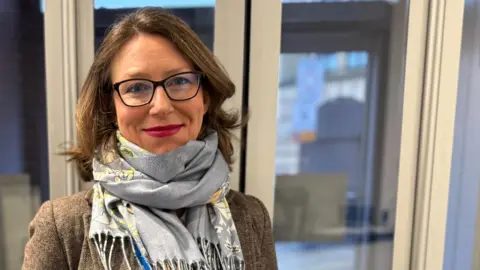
column 198, row 14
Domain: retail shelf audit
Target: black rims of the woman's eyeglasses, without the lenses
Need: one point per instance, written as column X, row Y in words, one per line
column 156, row 84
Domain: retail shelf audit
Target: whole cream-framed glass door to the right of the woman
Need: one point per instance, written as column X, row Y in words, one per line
column 336, row 106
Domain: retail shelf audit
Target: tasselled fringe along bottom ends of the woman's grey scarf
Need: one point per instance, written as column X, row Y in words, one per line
column 105, row 242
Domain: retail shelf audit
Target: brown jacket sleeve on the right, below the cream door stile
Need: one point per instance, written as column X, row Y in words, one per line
column 267, row 249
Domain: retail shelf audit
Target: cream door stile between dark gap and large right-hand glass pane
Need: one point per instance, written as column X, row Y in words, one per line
column 265, row 36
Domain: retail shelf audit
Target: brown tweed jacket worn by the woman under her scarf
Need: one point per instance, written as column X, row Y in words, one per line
column 59, row 235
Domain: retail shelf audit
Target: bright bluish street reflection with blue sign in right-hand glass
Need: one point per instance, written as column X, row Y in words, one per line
column 309, row 90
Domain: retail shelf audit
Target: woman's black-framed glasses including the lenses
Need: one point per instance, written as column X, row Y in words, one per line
column 139, row 92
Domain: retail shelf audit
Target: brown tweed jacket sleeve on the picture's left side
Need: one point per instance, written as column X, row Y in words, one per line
column 44, row 250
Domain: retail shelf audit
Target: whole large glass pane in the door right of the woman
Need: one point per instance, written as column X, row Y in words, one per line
column 334, row 204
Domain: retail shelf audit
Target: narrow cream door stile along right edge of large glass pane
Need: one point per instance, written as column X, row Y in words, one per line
column 410, row 131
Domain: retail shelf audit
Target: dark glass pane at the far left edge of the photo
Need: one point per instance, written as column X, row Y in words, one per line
column 23, row 136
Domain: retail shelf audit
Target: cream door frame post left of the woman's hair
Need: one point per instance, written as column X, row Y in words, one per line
column 68, row 53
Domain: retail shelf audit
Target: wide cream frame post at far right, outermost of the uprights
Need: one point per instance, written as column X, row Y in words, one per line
column 442, row 64
